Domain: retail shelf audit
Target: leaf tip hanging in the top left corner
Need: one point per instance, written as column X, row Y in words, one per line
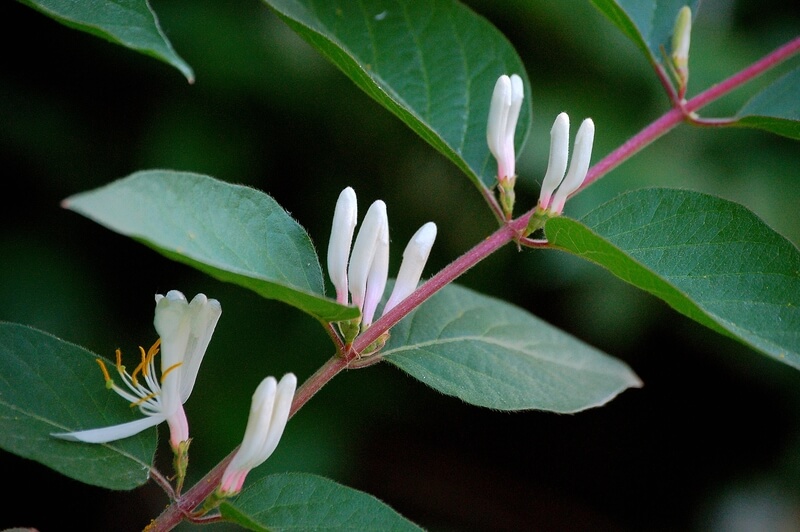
column 130, row 23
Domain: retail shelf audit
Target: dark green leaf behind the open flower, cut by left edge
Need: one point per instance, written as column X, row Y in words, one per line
column 49, row 385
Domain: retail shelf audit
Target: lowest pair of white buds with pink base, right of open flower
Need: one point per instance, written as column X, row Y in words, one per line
column 269, row 412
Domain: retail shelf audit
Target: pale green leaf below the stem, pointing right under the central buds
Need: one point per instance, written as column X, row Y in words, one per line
column 492, row 354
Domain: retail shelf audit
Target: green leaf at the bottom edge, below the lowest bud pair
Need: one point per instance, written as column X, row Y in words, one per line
column 299, row 501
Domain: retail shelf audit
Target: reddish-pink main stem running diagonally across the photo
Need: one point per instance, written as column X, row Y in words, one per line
column 184, row 505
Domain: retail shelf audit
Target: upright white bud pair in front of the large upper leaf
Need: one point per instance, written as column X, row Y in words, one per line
column 503, row 115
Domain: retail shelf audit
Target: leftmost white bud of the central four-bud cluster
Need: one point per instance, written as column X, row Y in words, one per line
column 344, row 223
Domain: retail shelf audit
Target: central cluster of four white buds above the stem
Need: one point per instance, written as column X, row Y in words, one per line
column 360, row 276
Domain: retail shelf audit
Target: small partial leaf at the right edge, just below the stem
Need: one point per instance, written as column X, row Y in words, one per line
column 776, row 108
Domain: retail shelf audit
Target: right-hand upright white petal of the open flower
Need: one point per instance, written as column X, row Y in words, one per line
column 204, row 314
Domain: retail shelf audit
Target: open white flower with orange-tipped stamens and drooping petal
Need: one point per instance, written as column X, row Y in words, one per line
column 184, row 330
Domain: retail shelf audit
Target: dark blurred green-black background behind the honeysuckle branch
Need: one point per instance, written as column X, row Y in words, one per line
column 712, row 440
